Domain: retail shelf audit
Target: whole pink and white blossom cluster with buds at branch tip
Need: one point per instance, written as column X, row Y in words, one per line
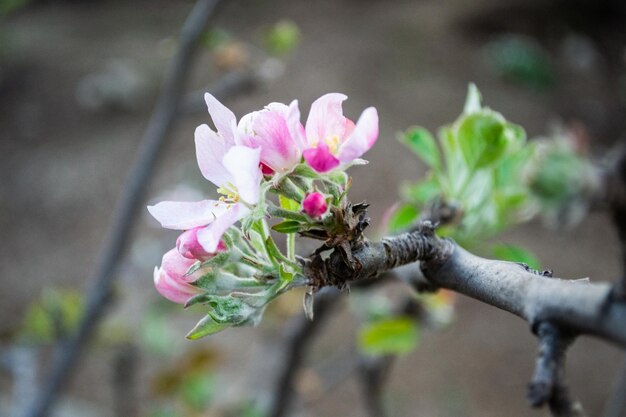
column 269, row 150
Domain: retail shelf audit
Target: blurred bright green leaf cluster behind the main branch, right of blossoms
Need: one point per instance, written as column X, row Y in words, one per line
column 476, row 167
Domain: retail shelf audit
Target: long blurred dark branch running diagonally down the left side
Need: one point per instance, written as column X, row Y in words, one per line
column 131, row 201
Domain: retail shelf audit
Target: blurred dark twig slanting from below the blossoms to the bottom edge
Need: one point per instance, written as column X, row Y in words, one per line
column 298, row 335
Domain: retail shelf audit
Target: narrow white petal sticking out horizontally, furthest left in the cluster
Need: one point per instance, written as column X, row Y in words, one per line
column 179, row 215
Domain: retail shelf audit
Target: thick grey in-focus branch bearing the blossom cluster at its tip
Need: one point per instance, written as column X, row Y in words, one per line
column 579, row 306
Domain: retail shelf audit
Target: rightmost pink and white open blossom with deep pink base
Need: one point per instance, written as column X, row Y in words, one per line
column 333, row 139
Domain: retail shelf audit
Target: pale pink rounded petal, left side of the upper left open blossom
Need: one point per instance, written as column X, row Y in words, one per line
column 210, row 151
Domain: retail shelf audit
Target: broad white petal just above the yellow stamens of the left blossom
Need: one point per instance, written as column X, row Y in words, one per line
column 243, row 165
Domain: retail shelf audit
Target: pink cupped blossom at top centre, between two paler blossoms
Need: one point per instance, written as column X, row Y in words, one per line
column 278, row 132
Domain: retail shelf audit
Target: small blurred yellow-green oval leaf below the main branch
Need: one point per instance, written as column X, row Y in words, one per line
column 392, row 336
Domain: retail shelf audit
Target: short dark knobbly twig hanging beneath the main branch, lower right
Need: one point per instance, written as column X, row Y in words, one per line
column 548, row 383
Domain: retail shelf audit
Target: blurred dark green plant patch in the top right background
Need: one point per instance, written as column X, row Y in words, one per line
column 521, row 60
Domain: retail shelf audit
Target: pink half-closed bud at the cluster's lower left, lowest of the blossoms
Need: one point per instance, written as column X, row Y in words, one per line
column 170, row 280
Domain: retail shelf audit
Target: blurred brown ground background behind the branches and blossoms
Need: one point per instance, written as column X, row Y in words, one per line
column 78, row 81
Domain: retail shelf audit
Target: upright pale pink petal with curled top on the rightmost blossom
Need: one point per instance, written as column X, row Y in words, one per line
column 326, row 118
